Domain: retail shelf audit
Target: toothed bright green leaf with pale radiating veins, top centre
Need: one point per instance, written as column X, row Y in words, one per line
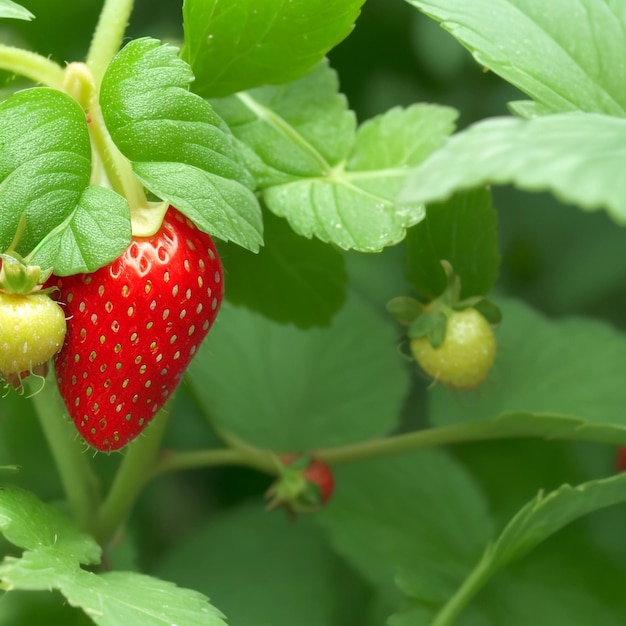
column 315, row 172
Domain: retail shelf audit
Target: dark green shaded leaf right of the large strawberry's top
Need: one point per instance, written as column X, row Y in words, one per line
column 291, row 280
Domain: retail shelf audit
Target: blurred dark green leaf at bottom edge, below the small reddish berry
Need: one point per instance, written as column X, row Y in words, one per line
column 304, row 582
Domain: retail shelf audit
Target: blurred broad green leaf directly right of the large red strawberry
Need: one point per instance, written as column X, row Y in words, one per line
column 288, row 389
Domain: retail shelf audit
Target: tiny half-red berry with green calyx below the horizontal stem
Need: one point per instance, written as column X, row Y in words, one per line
column 304, row 485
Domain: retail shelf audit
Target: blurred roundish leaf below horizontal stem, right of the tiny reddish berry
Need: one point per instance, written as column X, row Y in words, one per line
column 419, row 516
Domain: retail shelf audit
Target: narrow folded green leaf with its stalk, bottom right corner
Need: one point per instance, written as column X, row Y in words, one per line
column 536, row 522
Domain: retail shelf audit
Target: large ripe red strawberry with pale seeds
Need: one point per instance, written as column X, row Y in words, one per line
column 133, row 328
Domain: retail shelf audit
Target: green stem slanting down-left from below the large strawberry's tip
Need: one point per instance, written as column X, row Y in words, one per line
column 130, row 479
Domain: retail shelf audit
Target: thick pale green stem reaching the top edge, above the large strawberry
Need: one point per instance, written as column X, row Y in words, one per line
column 108, row 36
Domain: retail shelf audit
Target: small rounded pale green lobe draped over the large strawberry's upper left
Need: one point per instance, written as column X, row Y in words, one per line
column 82, row 243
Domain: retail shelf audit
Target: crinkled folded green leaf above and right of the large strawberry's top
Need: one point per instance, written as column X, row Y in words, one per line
column 179, row 147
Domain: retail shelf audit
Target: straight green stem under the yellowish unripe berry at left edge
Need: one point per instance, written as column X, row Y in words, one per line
column 79, row 481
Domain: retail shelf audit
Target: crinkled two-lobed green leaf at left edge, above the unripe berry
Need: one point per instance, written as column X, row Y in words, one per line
column 45, row 166
